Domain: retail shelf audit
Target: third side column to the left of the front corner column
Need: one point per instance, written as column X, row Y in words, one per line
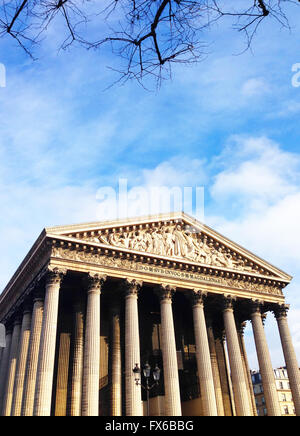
column 14, row 350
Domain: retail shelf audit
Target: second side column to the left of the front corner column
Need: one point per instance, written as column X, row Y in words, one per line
column 21, row 363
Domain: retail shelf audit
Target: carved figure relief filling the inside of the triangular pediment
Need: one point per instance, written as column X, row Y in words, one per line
column 177, row 241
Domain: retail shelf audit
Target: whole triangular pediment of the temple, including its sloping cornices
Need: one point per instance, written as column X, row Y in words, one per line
column 174, row 236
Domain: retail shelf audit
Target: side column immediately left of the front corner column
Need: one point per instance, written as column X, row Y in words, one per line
column 32, row 358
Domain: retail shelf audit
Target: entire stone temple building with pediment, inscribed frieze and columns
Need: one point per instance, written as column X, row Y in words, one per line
column 91, row 301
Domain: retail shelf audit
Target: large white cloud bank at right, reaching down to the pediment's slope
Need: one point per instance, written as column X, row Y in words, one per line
column 262, row 180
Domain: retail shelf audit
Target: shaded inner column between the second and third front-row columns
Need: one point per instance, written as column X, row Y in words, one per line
column 116, row 363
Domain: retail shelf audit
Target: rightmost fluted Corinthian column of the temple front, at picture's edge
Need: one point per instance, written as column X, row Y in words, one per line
column 289, row 355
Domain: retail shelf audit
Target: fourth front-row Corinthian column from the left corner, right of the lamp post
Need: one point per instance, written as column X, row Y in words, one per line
column 168, row 345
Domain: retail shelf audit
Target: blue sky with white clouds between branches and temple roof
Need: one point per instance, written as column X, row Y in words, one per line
column 229, row 124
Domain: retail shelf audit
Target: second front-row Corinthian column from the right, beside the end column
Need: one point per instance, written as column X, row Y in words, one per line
column 265, row 364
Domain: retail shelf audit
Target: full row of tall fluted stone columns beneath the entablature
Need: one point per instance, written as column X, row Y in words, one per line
column 27, row 362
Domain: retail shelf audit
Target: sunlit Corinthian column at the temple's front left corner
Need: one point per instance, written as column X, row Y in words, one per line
column 43, row 391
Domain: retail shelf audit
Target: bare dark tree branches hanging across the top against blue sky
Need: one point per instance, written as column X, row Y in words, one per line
column 148, row 35
